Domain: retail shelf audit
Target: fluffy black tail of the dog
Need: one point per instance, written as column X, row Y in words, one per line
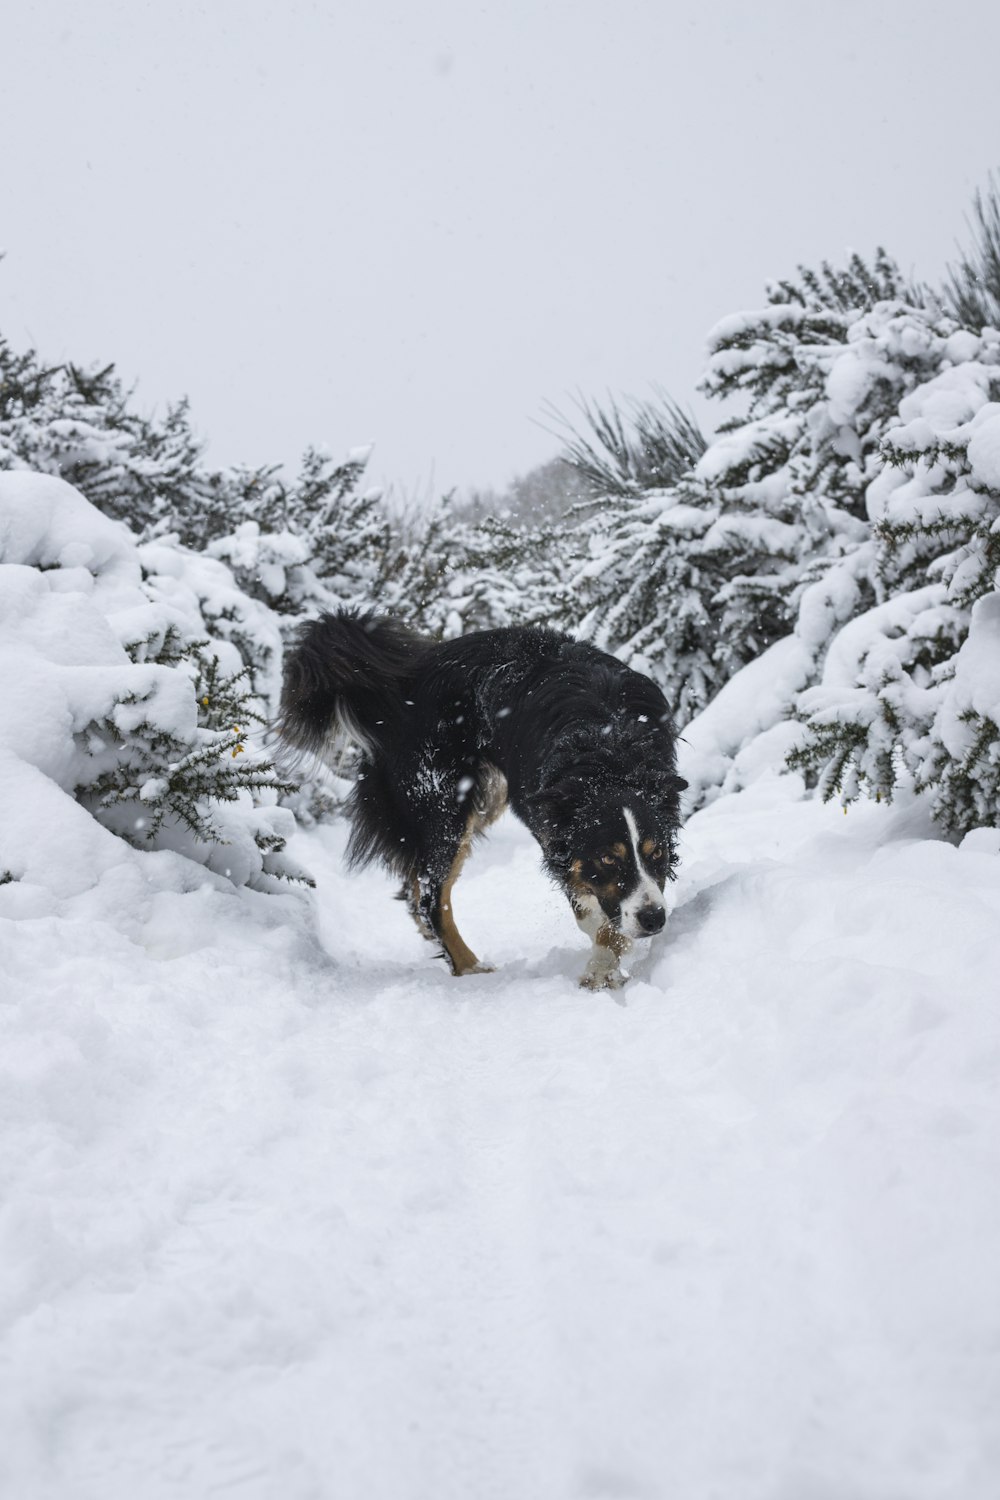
column 344, row 680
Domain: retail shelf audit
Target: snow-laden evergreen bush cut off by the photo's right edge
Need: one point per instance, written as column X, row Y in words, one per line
column 908, row 688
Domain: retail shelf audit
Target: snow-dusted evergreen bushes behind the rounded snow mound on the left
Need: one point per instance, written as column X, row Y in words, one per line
column 298, row 544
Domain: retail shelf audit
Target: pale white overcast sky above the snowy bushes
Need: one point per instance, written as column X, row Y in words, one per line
column 416, row 224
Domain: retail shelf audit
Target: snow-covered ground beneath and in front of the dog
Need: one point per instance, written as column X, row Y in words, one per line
column 290, row 1214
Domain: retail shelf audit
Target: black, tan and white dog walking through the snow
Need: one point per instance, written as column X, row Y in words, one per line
column 451, row 734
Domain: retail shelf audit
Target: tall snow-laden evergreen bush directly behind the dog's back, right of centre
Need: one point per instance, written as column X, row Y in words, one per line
column 699, row 577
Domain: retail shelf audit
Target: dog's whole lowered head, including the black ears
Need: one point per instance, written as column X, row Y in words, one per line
column 617, row 862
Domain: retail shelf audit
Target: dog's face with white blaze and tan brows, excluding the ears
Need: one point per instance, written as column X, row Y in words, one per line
column 620, row 868
